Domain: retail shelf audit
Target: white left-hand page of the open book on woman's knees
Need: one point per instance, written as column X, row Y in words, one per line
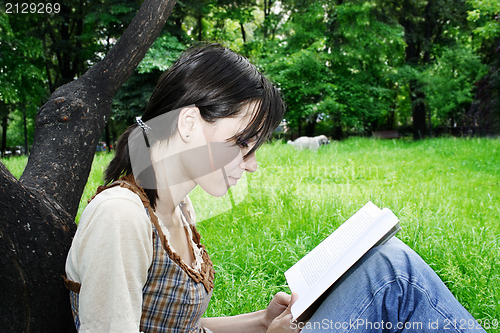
column 315, row 264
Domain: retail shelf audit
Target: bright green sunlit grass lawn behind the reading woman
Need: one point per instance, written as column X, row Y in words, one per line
column 445, row 191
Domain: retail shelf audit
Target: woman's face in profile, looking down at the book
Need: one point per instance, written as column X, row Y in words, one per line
column 226, row 158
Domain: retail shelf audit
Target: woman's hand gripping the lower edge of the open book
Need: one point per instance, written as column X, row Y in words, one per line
column 278, row 312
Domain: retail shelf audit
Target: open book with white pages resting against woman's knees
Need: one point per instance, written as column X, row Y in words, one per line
column 312, row 275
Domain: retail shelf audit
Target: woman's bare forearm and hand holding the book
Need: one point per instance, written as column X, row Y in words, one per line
column 276, row 318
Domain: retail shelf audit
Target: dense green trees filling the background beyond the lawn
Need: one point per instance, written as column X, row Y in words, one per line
column 342, row 66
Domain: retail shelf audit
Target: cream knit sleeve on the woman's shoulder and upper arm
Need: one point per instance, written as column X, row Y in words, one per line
column 110, row 257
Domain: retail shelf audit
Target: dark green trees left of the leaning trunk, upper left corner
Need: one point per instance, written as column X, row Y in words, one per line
column 59, row 48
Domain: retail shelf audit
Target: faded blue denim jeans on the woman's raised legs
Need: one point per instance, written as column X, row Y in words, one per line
column 391, row 289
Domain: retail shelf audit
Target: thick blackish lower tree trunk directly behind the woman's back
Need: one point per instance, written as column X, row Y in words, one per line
column 35, row 235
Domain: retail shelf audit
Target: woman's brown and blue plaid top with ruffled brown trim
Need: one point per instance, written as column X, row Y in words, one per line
column 175, row 295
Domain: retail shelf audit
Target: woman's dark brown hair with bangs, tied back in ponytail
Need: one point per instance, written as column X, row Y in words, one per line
column 218, row 82
